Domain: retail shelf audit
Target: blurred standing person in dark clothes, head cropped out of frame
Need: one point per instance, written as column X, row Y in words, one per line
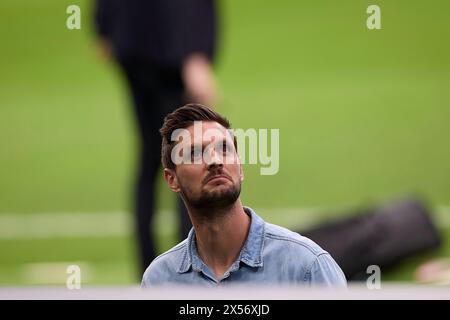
column 165, row 50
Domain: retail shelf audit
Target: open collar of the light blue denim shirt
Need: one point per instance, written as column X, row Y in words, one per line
column 251, row 252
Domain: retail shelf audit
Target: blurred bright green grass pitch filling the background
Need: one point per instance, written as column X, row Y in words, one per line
column 363, row 116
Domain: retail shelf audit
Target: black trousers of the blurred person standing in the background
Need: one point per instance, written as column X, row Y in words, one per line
column 156, row 91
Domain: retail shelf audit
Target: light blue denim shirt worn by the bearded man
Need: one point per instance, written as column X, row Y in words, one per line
column 271, row 255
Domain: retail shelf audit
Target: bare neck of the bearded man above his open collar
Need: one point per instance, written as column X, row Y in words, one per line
column 221, row 238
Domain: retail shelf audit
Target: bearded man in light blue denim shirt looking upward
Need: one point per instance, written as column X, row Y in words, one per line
column 229, row 243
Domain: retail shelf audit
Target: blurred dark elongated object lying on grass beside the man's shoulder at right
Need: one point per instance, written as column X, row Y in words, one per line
column 382, row 236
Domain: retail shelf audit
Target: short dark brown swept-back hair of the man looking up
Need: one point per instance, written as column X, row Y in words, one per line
column 182, row 118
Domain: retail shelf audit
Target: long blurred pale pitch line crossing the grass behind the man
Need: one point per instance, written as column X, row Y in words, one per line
column 95, row 224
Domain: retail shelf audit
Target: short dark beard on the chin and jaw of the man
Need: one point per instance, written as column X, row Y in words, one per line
column 213, row 202
